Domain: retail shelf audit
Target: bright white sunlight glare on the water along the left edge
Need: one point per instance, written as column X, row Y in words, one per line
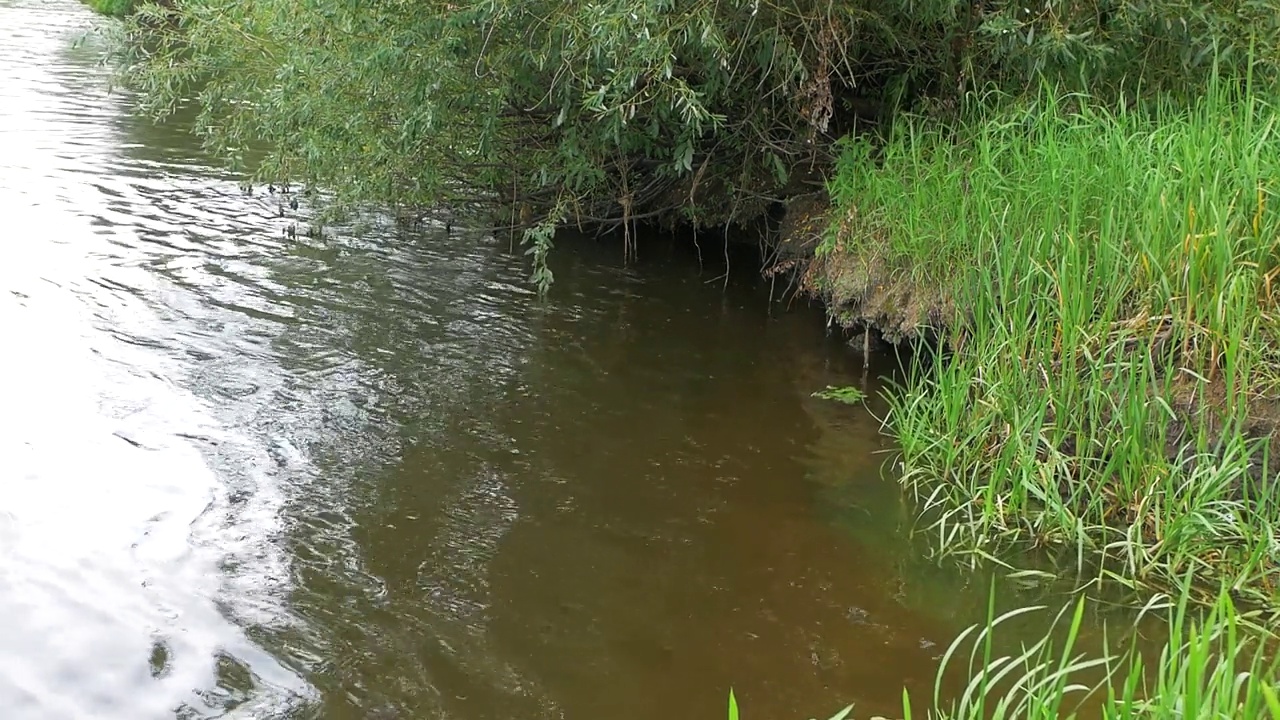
column 111, row 518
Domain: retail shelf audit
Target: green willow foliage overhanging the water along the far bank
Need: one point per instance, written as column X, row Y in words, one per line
column 609, row 110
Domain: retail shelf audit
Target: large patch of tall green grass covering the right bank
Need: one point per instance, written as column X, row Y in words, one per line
column 1117, row 276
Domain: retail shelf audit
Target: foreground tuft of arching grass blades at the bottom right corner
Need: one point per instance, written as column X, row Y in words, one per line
column 1214, row 666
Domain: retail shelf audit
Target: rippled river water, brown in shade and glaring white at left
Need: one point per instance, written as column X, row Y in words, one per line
column 372, row 476
